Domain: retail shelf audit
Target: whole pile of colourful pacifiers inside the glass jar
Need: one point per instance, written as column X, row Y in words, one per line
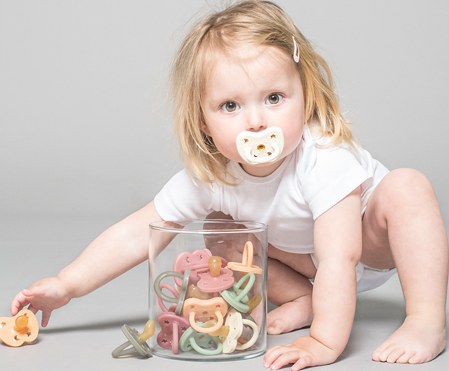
column 206, row 303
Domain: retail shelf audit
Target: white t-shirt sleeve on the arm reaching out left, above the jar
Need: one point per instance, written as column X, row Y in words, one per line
column 182, row 198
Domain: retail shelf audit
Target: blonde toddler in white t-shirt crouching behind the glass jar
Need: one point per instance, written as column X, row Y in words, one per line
column 263, row 139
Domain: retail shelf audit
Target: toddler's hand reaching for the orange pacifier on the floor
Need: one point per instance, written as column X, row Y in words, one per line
column 44, row 295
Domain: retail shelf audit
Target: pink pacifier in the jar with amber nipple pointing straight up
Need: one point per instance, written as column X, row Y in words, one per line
column 217, row 279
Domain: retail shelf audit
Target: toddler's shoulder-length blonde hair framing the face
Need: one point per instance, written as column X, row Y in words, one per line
column 254, row 23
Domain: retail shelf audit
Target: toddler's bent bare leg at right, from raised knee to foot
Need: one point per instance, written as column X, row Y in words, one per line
column 403, row 227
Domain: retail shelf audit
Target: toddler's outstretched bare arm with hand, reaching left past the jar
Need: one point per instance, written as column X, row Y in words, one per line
column 113, row 252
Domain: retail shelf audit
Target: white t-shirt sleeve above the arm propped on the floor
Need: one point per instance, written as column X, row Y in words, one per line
column 332, row 174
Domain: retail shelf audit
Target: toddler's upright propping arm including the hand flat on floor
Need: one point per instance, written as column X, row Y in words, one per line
column 338, row 245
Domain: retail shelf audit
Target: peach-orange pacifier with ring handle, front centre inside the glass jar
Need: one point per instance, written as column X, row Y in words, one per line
column 205, row 311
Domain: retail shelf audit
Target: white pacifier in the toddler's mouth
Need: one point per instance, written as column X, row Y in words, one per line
column 260, row 147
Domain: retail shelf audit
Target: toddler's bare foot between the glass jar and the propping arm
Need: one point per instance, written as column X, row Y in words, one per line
column 290, row 316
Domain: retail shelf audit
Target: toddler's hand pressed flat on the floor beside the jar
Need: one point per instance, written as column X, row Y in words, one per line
column 303, row 352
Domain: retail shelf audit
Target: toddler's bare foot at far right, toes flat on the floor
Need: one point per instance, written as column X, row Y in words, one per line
column 416, row 341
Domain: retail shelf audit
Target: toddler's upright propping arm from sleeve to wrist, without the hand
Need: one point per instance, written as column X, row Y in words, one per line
column 338, row 246
